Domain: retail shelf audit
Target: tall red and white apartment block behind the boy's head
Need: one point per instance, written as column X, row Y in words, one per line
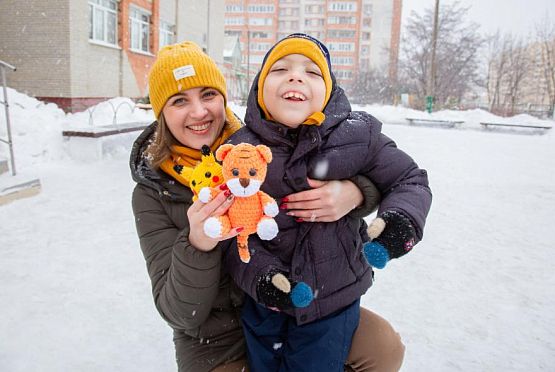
column 360, row 34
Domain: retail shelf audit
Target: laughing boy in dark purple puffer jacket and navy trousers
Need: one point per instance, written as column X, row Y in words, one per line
column 296, row 108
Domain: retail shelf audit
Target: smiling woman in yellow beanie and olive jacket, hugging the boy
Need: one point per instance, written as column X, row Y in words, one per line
column 191, row 291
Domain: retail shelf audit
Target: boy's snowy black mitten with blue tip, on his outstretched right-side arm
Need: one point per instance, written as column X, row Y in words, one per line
column 392, row 236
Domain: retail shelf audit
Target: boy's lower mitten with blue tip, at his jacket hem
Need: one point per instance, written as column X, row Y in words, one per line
column 274, row 290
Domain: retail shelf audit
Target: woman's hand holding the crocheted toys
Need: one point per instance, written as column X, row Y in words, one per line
column 199, row 212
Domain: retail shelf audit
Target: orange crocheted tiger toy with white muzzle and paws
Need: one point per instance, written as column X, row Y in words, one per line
column 244, row 169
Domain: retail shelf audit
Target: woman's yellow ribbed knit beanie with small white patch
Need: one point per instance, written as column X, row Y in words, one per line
column 179, row 67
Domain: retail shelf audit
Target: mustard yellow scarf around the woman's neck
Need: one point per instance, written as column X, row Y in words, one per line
column 183, row 159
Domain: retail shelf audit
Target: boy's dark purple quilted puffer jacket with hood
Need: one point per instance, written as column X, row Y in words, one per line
column 327, row 256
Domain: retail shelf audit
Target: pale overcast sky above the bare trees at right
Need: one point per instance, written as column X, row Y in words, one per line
column 516, row 16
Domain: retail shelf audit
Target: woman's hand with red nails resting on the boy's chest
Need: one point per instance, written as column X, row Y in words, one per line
column 328, row 201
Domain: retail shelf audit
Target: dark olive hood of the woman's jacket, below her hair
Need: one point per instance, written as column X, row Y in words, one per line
column 143, row 174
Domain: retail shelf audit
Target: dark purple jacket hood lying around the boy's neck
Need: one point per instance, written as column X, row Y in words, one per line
column 336, row 111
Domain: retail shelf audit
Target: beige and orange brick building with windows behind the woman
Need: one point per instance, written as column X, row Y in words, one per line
column 79, row 52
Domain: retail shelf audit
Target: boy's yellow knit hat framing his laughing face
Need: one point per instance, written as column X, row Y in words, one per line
column 308, row 47
